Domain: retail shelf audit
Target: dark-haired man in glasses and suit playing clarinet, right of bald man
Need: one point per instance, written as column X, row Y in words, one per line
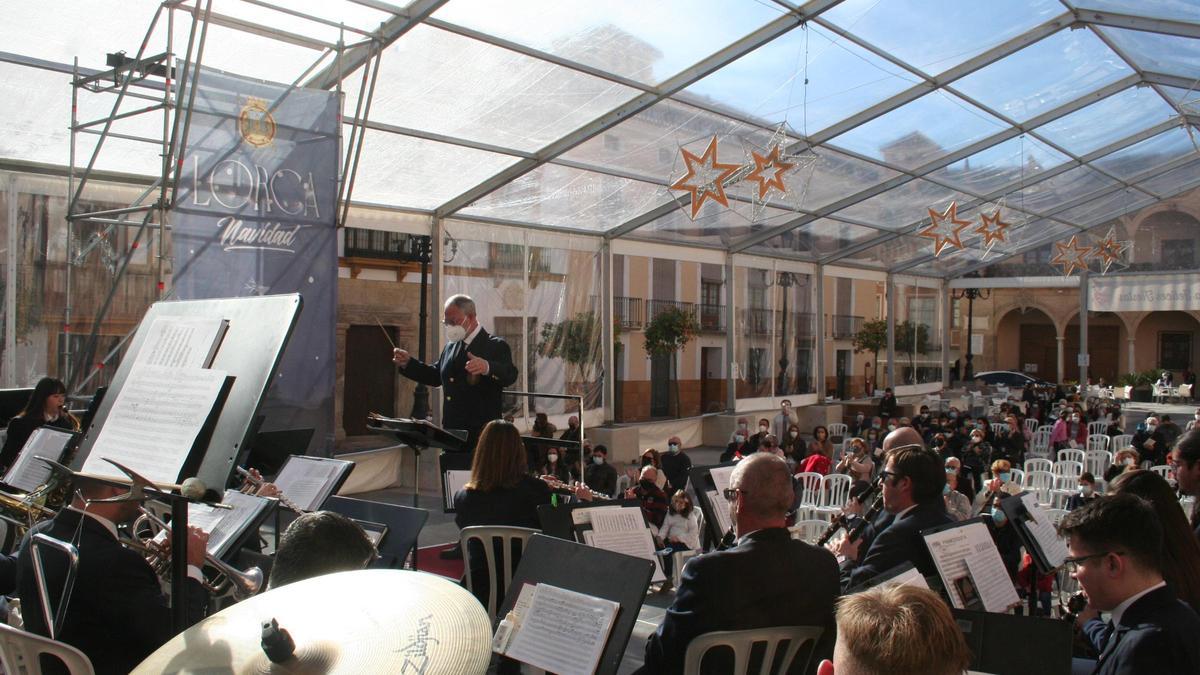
column 913, row 492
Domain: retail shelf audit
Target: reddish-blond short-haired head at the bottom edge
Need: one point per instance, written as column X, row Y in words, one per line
column 897, row 631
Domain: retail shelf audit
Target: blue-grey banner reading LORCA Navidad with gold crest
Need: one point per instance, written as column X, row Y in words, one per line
column 255, row 216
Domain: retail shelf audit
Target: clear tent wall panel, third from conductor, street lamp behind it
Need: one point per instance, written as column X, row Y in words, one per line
column 775, row 332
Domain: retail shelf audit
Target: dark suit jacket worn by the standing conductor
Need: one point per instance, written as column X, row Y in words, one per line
column 469, row 407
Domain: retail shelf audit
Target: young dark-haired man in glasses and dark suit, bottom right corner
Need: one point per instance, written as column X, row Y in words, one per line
column 1115, row 546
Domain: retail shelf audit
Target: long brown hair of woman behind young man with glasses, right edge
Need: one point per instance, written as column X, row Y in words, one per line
column 1181, row 552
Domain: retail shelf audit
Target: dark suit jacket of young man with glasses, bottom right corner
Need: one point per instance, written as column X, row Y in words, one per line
column 1157, row 635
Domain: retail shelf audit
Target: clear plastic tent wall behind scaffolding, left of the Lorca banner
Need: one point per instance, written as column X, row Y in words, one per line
column 113, row 280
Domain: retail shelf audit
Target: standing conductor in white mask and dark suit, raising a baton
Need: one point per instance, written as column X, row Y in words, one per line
column 473, row 371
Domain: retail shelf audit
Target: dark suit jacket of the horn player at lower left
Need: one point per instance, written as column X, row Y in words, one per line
column 118, row 614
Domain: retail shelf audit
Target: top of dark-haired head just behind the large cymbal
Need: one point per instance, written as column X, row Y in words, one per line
column 317, row 543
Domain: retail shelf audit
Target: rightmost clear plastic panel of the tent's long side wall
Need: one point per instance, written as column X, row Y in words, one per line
column 919, row 332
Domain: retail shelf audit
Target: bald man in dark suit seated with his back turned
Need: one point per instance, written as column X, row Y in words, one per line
column 767, row 580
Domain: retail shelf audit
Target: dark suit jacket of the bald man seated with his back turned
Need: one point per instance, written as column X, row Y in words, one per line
column 770, row 580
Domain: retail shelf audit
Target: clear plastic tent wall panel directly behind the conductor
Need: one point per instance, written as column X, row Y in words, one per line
column 542, row 294
